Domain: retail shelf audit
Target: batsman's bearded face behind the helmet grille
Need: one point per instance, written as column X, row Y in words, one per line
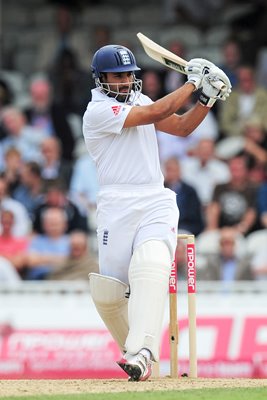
column 120, row 84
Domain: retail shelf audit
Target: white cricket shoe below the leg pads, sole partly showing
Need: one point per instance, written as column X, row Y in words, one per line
column 138, row 367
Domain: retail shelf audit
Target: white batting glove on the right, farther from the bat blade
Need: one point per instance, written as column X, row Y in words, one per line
column 210, row 92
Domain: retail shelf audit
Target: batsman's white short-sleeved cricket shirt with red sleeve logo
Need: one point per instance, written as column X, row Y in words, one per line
column 122, row 155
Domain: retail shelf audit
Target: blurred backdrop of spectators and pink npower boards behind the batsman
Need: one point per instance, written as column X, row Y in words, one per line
column 48, row 325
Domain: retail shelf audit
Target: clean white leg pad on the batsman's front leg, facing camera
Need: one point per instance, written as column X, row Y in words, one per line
column 149, row 282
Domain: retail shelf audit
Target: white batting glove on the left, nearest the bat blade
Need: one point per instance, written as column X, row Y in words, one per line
column 196, row 69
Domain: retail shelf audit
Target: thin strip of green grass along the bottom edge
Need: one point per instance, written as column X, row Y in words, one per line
column 196, row 394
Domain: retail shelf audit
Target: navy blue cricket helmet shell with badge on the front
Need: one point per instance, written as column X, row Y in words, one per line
column 113, row 58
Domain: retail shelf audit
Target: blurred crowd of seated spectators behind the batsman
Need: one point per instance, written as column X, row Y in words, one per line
column 48, row 182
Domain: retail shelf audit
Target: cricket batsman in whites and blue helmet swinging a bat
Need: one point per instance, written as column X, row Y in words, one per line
column 137, row 217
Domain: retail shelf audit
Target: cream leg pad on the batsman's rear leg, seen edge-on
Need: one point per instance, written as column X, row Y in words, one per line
column 108, row 295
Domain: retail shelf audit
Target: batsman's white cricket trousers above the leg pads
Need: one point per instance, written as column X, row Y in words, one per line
column 129, row 215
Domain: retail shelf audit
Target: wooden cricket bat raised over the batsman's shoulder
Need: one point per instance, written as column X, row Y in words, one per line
column 169, row 59
